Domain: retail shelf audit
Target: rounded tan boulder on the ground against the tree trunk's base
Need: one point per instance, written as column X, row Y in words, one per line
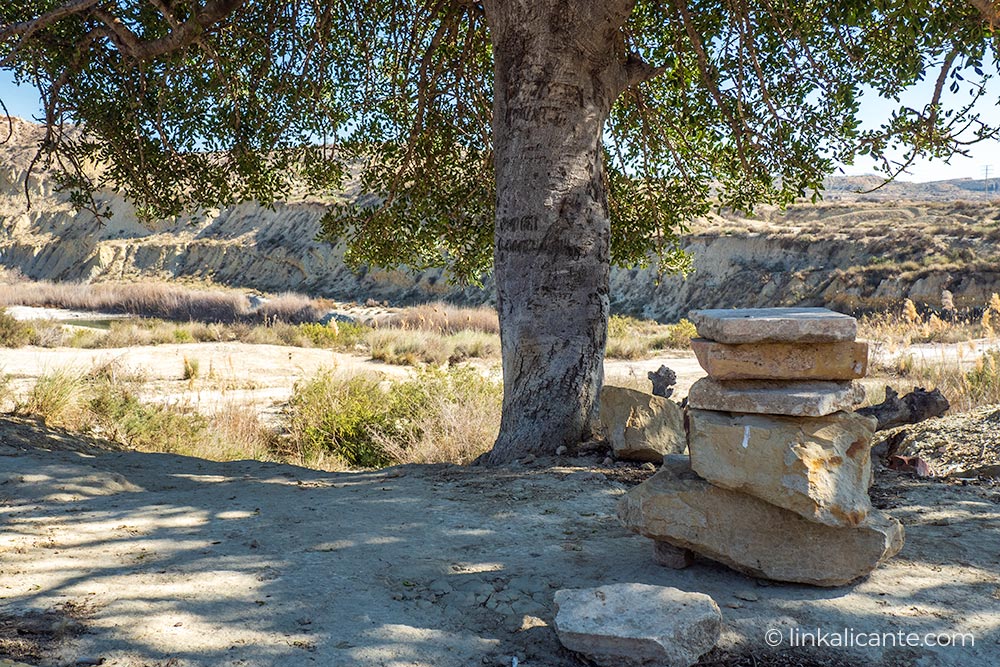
column 640, row 426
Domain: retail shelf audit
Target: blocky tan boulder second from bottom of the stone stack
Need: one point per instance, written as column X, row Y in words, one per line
column 819, row 468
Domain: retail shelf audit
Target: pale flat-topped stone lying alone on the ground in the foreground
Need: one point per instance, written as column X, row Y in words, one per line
column 626, row 625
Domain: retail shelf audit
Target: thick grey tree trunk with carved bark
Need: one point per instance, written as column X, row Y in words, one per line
column 559, row 67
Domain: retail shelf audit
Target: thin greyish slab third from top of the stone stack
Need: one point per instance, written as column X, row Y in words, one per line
column 773, row 397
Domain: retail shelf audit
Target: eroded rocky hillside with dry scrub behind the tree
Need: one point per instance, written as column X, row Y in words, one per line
column 855, row 251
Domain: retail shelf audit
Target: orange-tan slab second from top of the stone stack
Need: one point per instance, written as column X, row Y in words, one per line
column 782, row 361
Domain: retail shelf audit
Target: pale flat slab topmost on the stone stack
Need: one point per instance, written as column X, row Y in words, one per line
column 774, row 325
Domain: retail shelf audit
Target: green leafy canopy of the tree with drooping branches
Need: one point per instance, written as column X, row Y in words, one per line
column 189, row 103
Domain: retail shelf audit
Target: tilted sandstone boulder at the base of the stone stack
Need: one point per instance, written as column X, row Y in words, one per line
column 753, row 536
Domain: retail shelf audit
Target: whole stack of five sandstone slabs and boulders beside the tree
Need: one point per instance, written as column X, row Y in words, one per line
column 776, row 481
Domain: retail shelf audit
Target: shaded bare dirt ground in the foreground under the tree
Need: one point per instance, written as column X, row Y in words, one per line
column 171, row 561
